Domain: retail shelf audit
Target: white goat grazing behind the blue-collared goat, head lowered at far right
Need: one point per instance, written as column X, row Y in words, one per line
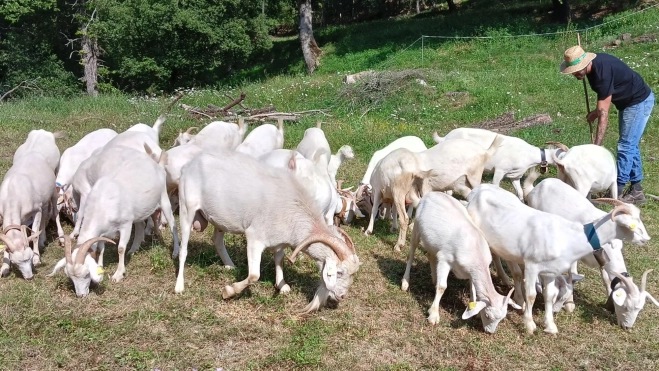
column 553, row 196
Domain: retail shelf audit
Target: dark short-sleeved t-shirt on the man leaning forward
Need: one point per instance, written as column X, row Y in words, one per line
column 611, row 76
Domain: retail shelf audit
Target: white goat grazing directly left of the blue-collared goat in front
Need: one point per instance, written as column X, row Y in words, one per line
column 453, row 243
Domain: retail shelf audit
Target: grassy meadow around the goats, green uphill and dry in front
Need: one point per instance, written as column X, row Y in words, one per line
column 139, row 323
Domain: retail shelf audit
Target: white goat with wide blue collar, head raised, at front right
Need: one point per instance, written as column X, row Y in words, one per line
column 546, row 244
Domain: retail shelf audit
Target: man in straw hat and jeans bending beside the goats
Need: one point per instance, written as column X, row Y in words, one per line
column 614, row 82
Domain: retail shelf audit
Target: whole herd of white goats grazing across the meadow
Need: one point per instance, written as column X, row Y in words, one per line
column 108, row 182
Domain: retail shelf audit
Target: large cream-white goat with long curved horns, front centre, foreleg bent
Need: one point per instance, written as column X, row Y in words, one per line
column 273, row 211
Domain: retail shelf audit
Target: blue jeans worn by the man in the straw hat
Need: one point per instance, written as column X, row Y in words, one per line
column 632, row 121
